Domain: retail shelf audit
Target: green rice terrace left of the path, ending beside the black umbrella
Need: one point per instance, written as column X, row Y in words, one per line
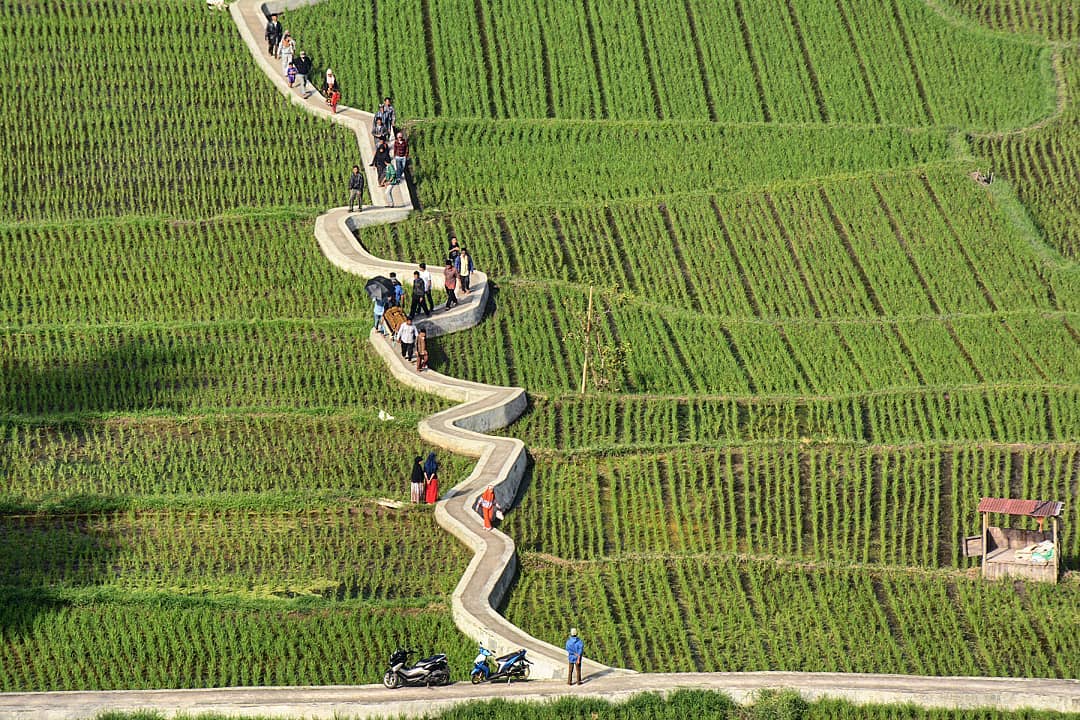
column 261, row 267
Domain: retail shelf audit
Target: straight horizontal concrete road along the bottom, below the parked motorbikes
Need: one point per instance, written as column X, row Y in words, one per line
column 377, row 702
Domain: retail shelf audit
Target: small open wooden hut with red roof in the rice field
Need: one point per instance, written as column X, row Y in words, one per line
column 1017, row 552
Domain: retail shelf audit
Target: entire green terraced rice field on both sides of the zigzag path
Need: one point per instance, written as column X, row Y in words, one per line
column 835, row 342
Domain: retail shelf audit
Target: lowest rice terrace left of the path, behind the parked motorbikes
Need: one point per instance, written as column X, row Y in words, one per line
column 110, row 644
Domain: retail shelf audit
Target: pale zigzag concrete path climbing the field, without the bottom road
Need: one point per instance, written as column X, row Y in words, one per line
column 502, row 460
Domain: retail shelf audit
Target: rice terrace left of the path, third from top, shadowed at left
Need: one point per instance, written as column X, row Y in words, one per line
column 185, row 370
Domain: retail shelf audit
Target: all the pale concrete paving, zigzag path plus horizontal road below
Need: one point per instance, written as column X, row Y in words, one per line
column 502, row 461
